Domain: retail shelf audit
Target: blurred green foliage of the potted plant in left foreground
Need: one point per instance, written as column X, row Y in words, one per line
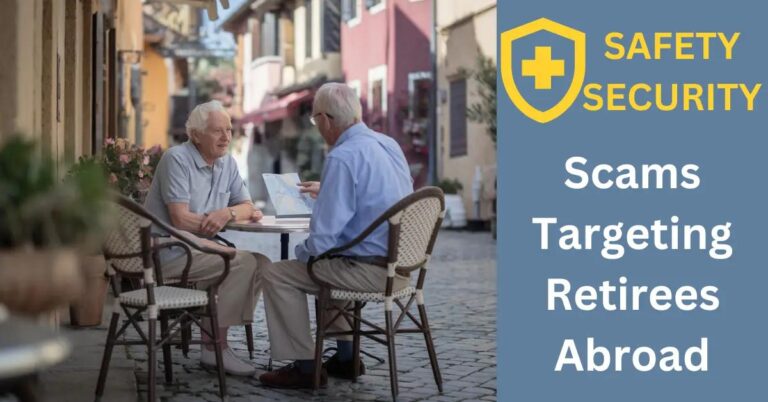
column 36, row 209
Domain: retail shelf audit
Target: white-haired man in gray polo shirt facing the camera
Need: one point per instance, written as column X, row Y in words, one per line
column 197, row 188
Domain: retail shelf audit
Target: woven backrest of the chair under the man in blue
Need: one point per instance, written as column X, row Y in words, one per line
column 413, row 225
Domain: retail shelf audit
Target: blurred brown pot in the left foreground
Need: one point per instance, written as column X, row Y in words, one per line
column 36, row 281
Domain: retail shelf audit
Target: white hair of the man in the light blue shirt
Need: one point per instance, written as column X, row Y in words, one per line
column 339, row 101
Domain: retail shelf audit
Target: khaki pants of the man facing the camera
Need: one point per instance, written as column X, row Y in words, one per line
column 239, row 292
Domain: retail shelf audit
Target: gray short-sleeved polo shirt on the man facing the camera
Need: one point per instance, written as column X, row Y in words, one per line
column 183, row 176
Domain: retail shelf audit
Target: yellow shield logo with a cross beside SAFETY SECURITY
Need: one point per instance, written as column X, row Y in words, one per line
column 542, row 68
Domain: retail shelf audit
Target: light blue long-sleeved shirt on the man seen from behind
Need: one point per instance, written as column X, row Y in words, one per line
column 365, row 173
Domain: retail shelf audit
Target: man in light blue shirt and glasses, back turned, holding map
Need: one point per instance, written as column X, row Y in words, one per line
column 365, row 173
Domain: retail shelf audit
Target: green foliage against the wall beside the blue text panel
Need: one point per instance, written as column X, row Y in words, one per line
column 484, row 110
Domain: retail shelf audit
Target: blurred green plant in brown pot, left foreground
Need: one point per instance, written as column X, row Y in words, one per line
column 43, row 220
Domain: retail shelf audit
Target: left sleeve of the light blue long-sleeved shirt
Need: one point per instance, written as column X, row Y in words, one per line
column 335, row 206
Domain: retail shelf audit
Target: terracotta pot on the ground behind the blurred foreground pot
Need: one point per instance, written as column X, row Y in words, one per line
column 87, row 310
